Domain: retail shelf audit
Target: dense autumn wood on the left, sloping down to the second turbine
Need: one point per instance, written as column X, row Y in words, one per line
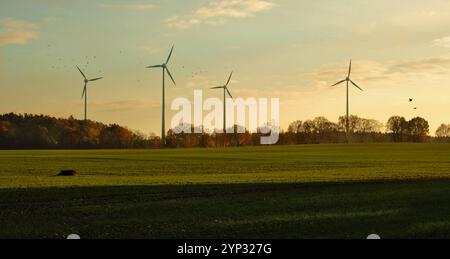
column 43, row 132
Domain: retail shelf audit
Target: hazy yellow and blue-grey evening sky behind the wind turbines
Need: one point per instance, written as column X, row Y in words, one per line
column 288, row 49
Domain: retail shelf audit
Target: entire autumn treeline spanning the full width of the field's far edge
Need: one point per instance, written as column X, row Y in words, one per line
column 43, row 132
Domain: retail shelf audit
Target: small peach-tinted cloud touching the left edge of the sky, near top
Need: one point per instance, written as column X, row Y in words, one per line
column 16, row 32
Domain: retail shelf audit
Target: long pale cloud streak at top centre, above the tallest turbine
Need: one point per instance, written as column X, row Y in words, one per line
column 218, row 12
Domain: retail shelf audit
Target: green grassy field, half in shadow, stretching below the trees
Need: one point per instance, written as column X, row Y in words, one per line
column 323, row 191
